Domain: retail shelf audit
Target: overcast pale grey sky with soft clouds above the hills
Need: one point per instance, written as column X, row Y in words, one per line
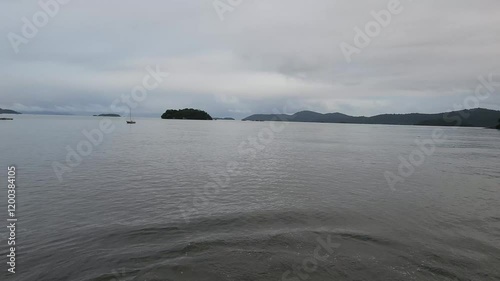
column 262, row 55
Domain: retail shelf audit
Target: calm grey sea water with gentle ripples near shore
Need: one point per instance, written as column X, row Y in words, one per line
column 209, row 200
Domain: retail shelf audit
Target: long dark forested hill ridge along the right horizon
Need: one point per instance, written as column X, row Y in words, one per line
column 478, row 117
